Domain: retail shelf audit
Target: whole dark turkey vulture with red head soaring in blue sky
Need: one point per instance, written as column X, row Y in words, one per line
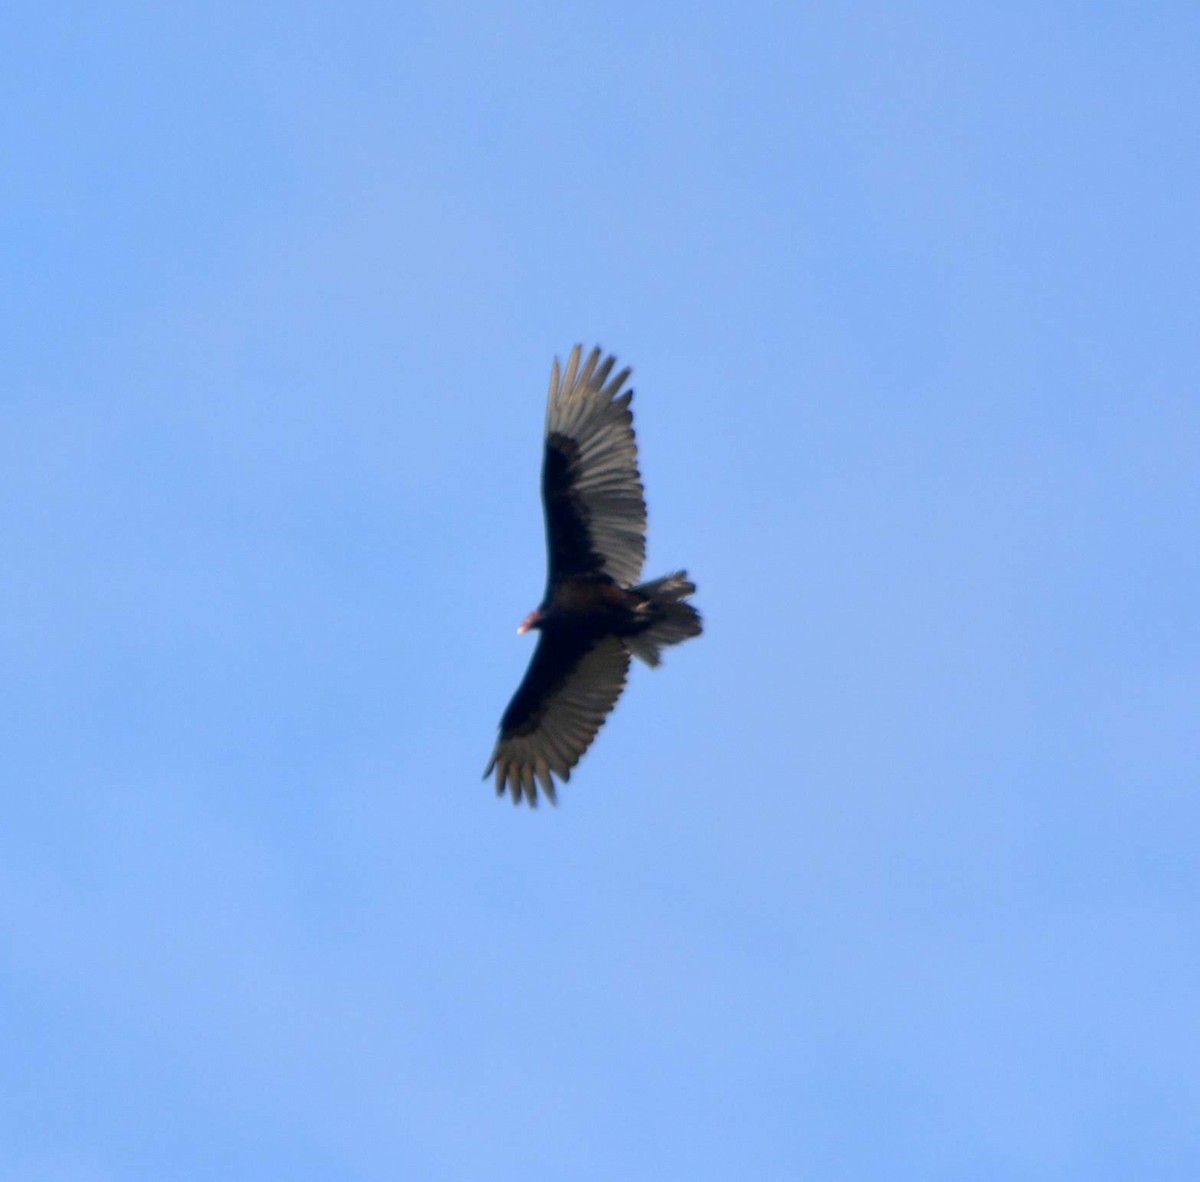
column 592, row 619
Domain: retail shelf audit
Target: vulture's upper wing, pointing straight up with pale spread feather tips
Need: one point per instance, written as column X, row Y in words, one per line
column 592, row 493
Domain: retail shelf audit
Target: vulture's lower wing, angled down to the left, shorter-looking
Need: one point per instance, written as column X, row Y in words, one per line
column 567, row 693
